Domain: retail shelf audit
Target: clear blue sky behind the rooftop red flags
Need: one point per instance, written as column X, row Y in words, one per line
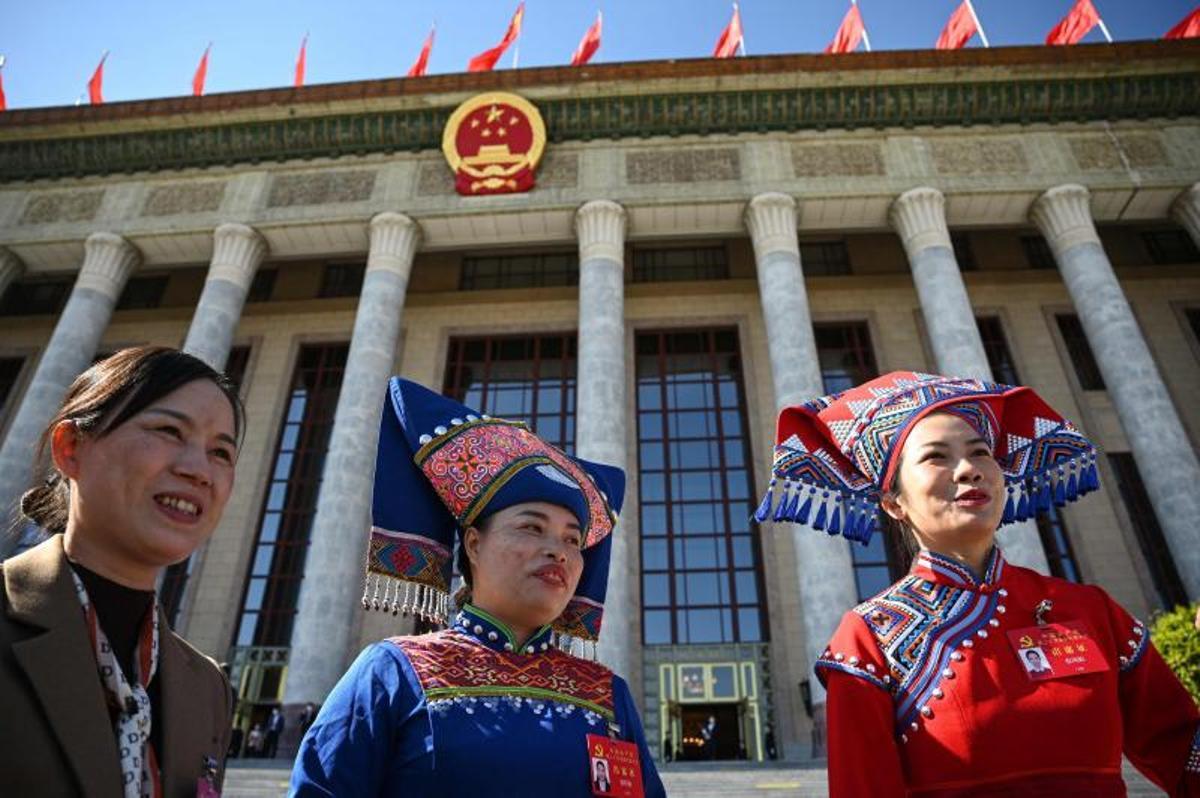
column 53, row 46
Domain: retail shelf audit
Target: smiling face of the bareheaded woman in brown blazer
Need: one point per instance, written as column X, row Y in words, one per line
column 151, row 491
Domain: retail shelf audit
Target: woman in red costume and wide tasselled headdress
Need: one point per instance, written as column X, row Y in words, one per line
column 971, row 676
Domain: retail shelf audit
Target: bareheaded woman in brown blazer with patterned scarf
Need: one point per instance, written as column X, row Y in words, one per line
column 100, row 698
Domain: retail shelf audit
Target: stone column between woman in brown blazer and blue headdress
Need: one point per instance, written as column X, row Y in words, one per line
column 333, row 579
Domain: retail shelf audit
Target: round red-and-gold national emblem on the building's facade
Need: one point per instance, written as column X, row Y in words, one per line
column 494, row 143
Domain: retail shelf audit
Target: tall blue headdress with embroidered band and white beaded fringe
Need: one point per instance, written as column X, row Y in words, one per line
column 441, row 467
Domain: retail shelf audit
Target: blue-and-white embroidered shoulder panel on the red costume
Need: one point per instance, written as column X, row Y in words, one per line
column 919, row 626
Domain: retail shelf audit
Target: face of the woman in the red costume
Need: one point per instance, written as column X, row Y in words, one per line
column 952, row 491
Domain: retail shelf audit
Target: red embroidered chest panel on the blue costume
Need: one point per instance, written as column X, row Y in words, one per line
column 452, row 667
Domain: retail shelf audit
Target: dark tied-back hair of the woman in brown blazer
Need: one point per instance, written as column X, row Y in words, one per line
column 109, row 395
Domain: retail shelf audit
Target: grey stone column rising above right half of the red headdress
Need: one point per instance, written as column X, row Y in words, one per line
column 920, row 219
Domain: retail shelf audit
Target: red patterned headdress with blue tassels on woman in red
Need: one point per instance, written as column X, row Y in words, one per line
column 837, row 455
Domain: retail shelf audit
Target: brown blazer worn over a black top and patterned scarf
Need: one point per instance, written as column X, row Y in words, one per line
column 56, row 736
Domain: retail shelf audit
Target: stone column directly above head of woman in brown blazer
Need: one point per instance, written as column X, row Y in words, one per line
column 237, row 253
